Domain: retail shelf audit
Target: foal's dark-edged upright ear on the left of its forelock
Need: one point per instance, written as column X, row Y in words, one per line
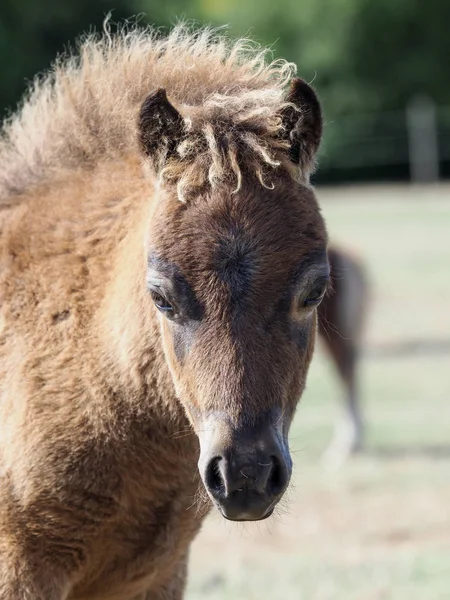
column 161, row 128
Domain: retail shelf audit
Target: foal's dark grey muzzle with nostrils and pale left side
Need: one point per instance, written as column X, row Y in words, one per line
column 245, row 472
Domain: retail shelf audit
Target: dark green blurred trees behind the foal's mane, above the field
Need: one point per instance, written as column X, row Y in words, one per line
column 366, row 58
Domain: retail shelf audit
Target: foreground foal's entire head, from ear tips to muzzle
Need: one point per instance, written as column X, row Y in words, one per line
column 236, row 273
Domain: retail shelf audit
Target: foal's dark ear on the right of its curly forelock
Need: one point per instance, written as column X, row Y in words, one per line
column 302, row 125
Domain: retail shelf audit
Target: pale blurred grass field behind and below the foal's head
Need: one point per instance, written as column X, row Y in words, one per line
column 379, row 527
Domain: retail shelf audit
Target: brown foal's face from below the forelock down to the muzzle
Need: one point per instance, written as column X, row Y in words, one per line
column 236, row 280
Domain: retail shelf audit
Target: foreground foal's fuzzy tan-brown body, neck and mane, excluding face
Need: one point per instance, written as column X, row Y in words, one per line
column 99, row 485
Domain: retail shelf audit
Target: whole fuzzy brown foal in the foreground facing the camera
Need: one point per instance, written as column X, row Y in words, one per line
column 162, row 260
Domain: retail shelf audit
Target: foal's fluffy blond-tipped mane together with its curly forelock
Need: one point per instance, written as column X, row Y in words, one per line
column 84, row 111
